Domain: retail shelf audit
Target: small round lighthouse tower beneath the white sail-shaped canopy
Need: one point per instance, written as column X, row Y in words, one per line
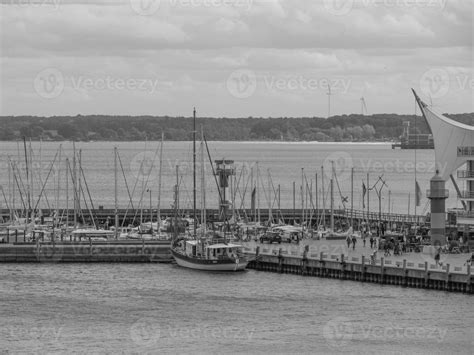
column 438, row 195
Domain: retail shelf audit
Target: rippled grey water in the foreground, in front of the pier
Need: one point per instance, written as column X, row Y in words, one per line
column 124, row 308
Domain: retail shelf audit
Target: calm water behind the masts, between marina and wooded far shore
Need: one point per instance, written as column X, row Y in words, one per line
column 139, row 165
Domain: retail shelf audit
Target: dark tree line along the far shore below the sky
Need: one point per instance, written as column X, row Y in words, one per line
column 349, row 128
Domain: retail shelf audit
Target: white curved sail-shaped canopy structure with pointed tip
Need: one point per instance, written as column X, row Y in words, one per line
column 453, row 141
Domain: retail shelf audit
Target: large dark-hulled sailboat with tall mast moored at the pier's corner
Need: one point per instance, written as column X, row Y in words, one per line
column 204, row 253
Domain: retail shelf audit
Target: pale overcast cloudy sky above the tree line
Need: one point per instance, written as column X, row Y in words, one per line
column 234, row 58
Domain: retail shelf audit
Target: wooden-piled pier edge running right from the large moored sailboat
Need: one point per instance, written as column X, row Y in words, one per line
column 401, row 273
